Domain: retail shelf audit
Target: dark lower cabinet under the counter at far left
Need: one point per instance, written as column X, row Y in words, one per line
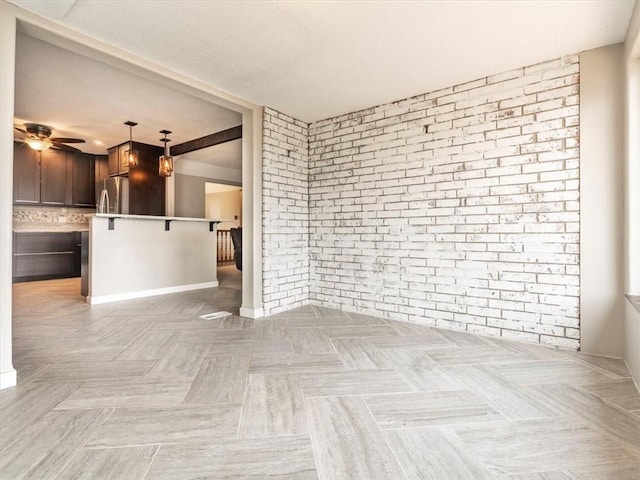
column 45, row 255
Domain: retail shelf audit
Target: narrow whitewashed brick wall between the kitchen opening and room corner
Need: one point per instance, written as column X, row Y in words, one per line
column 285, row 180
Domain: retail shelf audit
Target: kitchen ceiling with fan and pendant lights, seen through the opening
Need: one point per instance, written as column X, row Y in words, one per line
column 81, row 97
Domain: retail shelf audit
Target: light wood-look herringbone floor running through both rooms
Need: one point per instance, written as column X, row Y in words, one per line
column 145, row 389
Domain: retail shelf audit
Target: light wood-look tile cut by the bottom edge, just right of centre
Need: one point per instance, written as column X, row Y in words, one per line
column 347, row 442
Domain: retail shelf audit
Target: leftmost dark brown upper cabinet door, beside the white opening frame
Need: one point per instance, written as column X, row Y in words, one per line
column 26, row 174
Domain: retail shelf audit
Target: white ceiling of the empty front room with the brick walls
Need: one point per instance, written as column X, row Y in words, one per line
column 317, row 59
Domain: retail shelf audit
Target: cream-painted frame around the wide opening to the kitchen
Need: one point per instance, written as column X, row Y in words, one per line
column 14, row 19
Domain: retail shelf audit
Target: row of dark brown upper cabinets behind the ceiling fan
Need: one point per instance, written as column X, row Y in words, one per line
column 53, row 177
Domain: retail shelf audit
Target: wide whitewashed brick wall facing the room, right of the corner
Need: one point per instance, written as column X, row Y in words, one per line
column 457, row 208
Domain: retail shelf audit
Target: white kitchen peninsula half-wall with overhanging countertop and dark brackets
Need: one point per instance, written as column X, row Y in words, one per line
column 133, row 256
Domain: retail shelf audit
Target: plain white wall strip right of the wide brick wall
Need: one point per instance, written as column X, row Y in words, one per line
column 601, row 200
